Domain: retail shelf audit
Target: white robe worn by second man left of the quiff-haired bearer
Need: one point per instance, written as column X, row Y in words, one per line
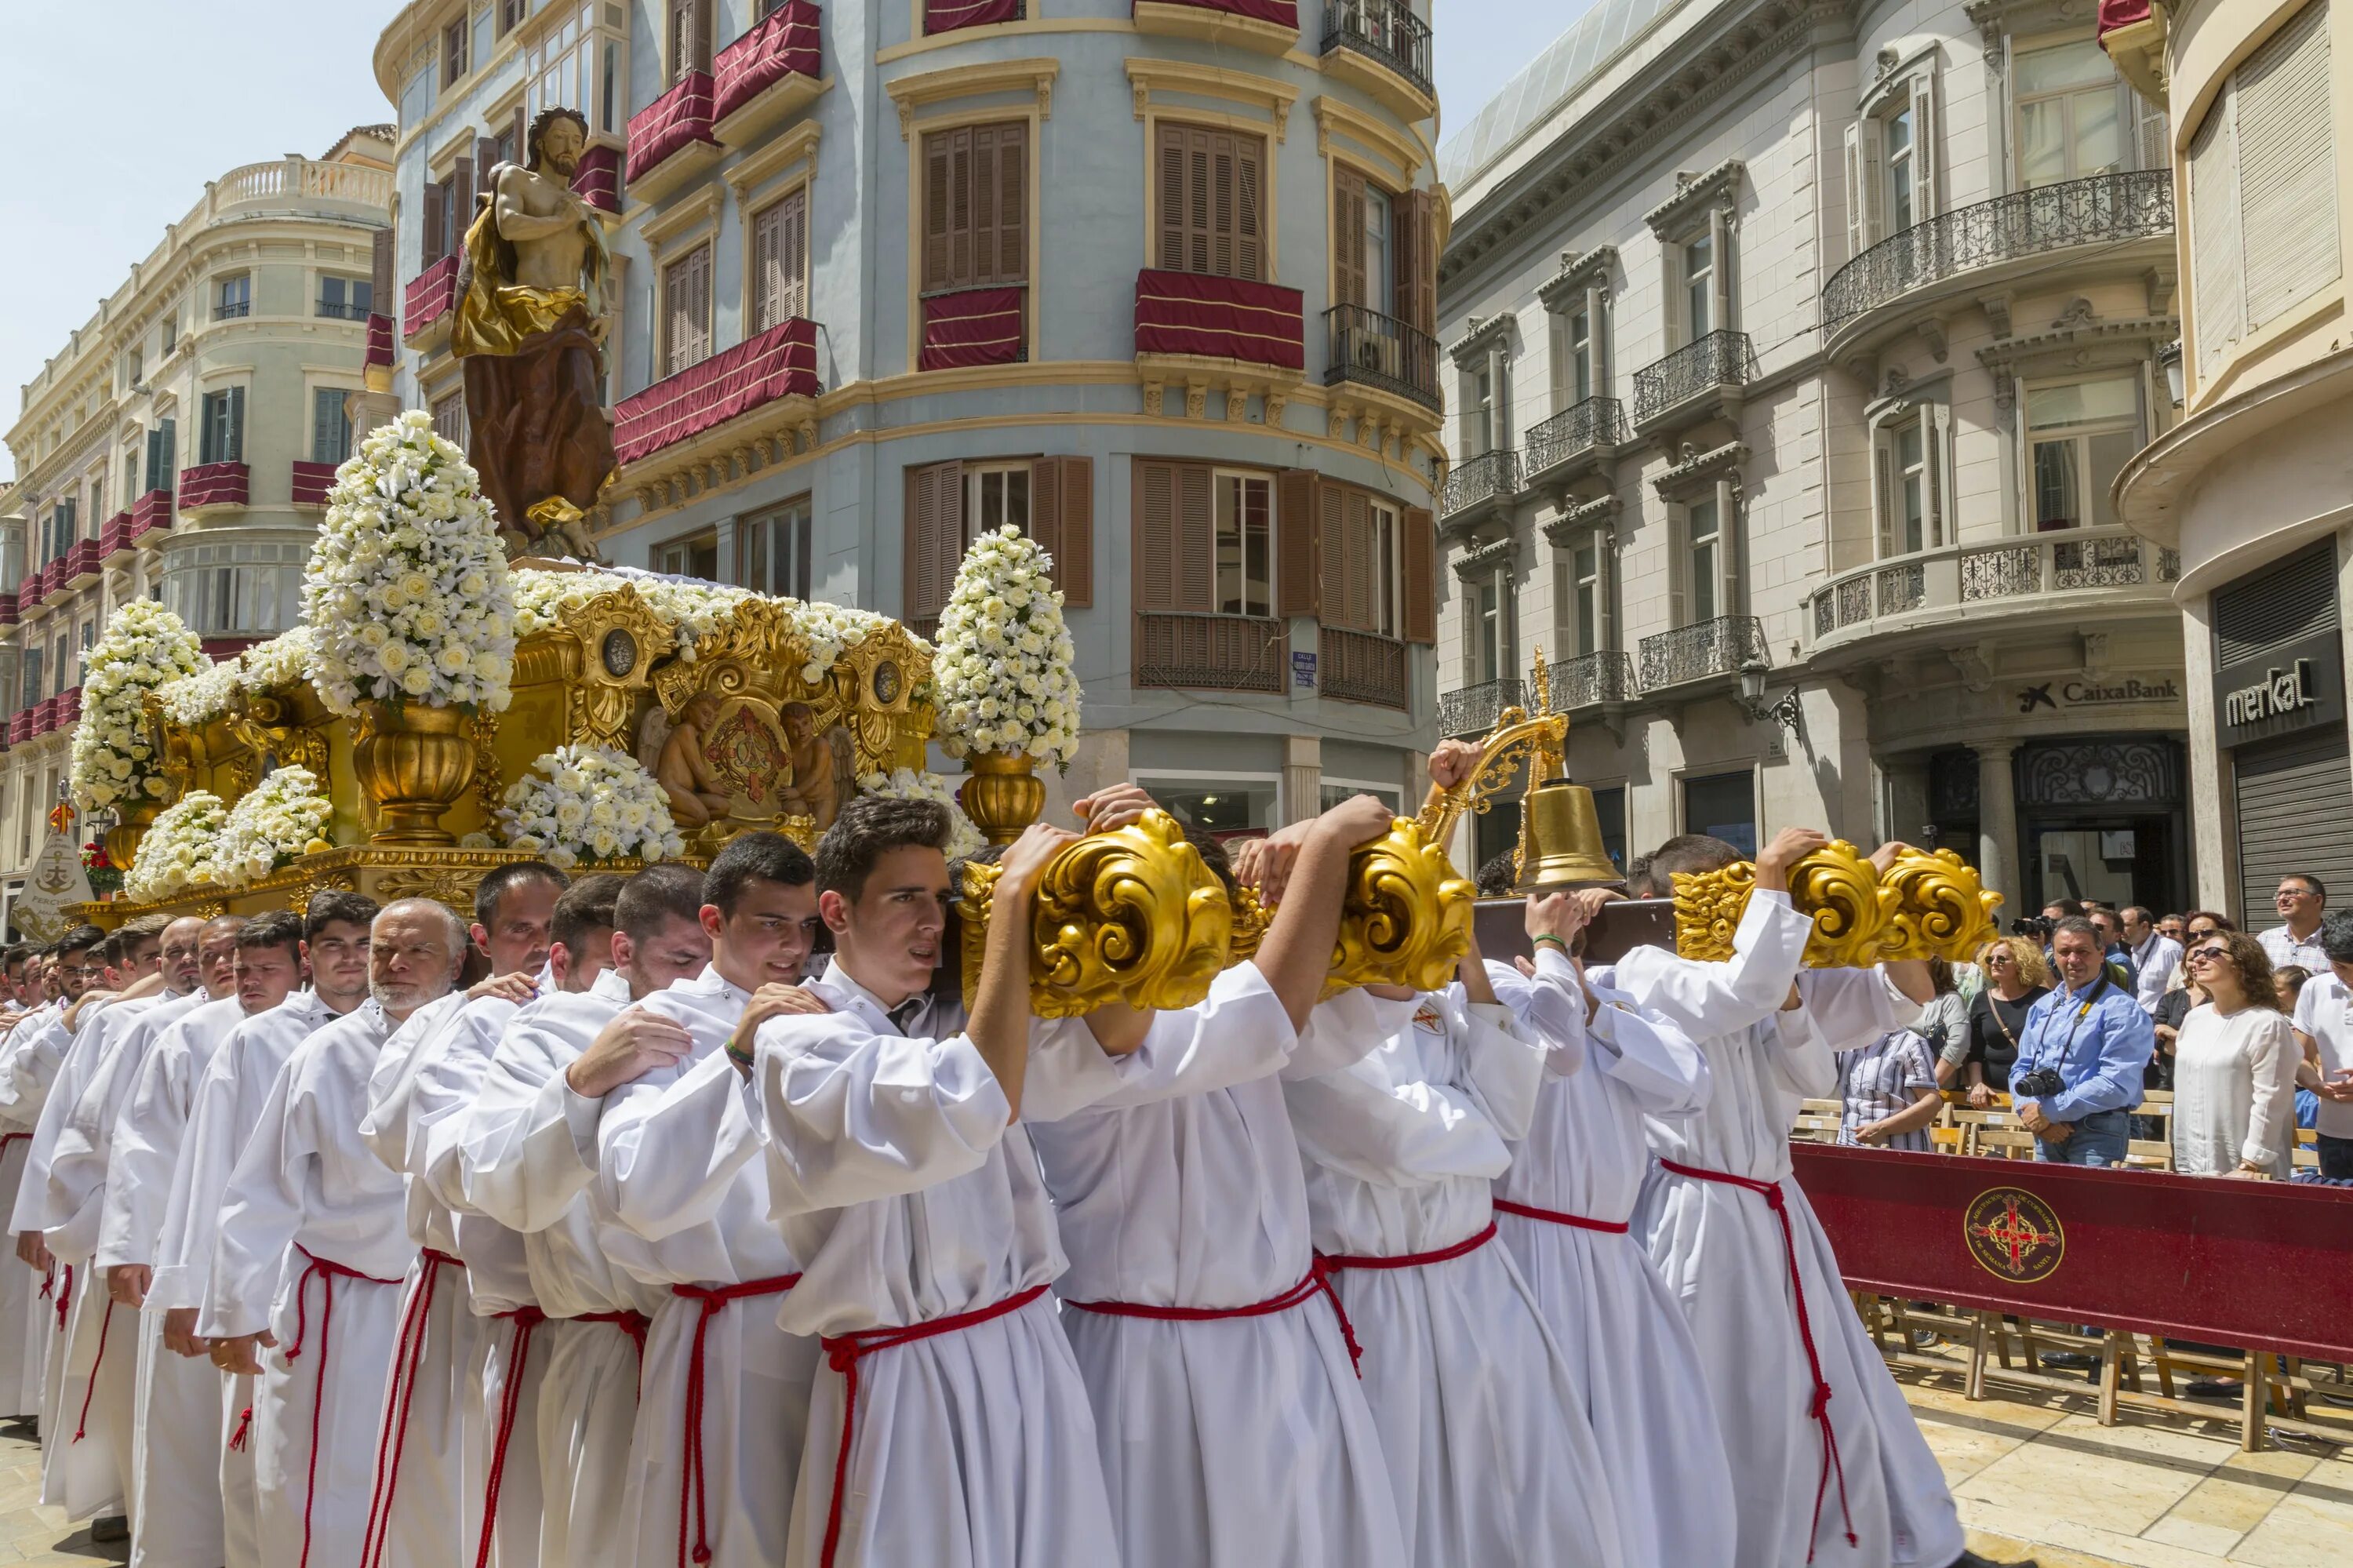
column 528, row 1160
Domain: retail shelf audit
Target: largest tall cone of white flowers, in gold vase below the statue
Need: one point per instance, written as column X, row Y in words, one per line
column 408, row 587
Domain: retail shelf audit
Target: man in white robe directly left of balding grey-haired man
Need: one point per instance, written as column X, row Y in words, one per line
column 225, row 1108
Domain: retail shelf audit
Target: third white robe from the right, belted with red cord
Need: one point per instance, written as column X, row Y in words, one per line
column 1488, row 1444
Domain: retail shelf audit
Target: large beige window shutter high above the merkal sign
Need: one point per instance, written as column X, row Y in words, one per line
column 2286, row 168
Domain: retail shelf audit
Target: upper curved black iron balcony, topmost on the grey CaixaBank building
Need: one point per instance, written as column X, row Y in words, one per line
column 2098, row 211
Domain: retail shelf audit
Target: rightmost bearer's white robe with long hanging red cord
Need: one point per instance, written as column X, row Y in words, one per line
column 1724, row 1256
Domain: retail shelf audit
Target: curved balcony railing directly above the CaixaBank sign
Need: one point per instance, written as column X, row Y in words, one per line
column 2060, row 573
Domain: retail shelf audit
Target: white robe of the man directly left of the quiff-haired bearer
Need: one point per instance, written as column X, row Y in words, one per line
column 691, row 1207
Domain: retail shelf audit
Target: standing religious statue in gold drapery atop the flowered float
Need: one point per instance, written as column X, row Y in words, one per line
column 531, row 333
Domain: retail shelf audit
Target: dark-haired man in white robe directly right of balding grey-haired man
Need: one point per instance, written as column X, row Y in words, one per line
column 453, row 1294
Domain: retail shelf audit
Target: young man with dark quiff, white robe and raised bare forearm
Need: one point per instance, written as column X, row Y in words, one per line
column 954, row 1426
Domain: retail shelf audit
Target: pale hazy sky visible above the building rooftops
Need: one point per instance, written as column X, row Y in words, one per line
column 119, row 112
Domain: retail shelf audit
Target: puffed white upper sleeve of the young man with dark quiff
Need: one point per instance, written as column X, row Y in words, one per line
column 853, row 1115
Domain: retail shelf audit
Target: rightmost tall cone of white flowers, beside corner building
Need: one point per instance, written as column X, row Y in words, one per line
column 1006, row 677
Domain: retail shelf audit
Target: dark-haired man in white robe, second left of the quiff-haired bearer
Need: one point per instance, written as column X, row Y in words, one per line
column 528, row 1160
